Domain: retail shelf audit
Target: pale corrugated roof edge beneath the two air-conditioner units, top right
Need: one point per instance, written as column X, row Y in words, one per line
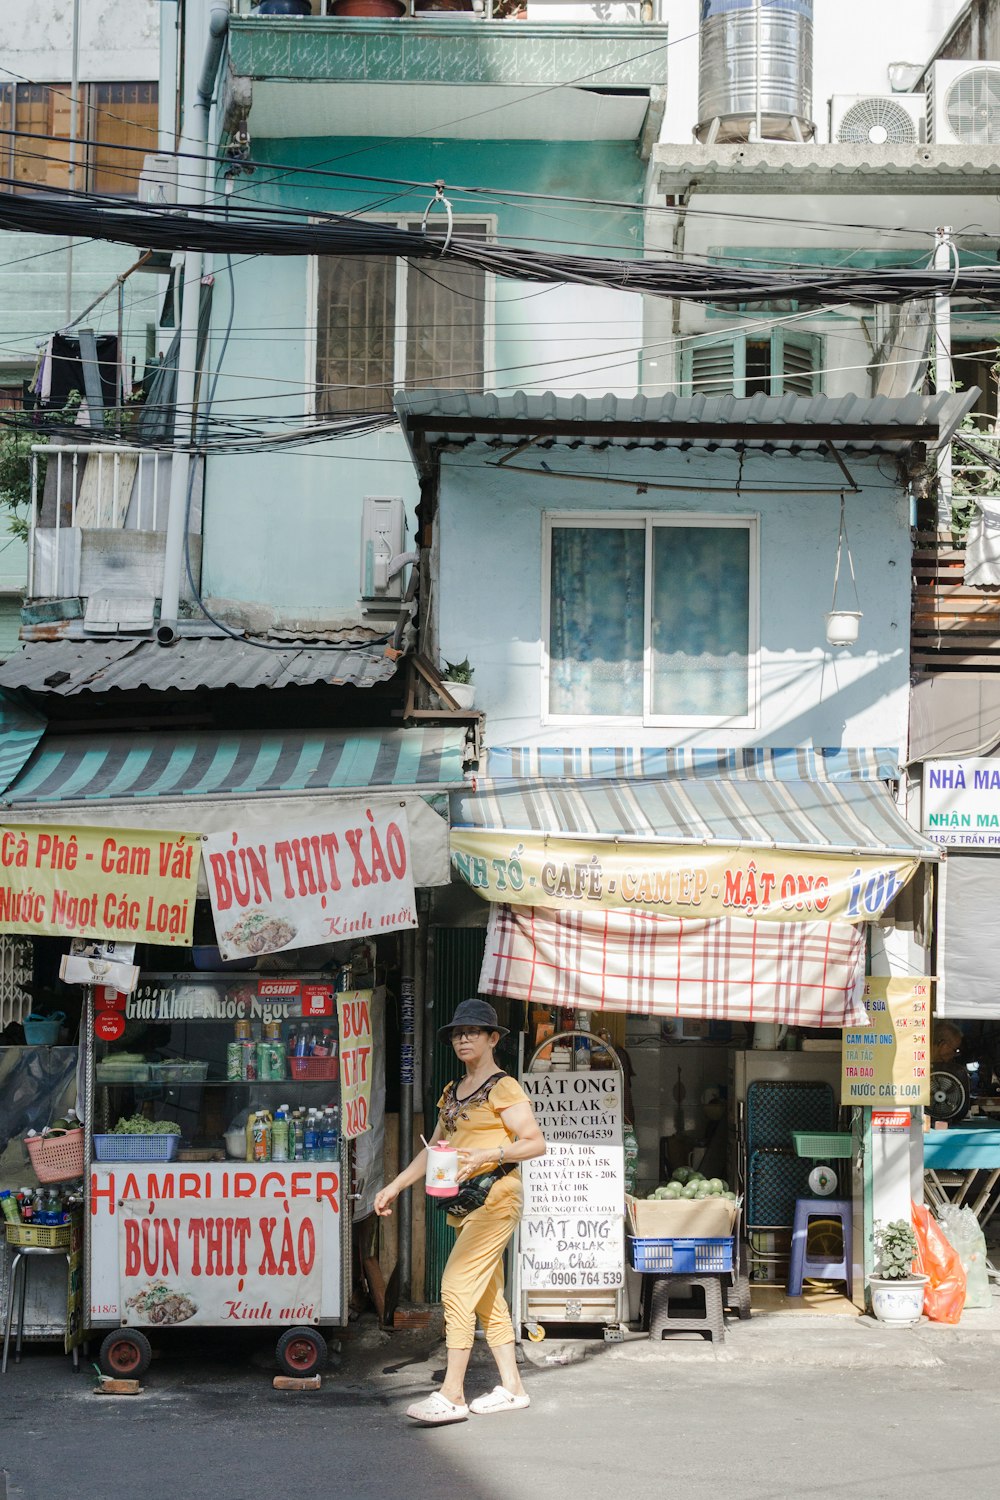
column 837, row 169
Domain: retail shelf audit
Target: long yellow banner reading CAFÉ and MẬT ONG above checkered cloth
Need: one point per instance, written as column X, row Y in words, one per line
column 677, row 880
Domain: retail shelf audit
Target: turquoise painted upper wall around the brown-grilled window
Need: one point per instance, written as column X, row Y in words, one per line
column 283, row 532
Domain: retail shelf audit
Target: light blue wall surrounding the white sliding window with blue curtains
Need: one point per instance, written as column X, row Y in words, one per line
column 491, row 595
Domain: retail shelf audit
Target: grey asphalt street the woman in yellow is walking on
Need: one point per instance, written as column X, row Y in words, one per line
column 789, row 1408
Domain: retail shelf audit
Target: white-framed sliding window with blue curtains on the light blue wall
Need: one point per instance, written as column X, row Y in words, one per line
column 651, row 619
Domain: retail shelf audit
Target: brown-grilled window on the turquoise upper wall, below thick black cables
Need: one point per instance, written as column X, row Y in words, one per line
column 385, row 325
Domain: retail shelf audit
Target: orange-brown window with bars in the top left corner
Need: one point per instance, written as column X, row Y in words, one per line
column 112, row 119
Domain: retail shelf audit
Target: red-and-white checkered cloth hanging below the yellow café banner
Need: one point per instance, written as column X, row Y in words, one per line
column 795, row 974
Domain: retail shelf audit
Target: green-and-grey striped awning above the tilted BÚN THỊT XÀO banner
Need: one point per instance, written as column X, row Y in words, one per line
column 106, row 770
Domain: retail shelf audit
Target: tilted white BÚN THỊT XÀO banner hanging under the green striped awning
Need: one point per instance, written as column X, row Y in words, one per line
column 349, row 877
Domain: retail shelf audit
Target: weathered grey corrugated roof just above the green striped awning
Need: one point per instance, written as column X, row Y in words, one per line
column 104, row 667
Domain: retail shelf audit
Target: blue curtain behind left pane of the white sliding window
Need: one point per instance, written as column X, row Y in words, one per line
column 596, row 634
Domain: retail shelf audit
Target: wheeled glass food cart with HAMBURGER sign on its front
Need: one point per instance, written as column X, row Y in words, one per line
column 184, row 1229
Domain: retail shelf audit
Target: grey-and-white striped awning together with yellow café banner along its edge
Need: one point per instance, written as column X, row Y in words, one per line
column 767, row 851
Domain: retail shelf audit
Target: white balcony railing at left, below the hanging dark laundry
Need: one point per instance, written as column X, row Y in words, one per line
column 100, row 520
